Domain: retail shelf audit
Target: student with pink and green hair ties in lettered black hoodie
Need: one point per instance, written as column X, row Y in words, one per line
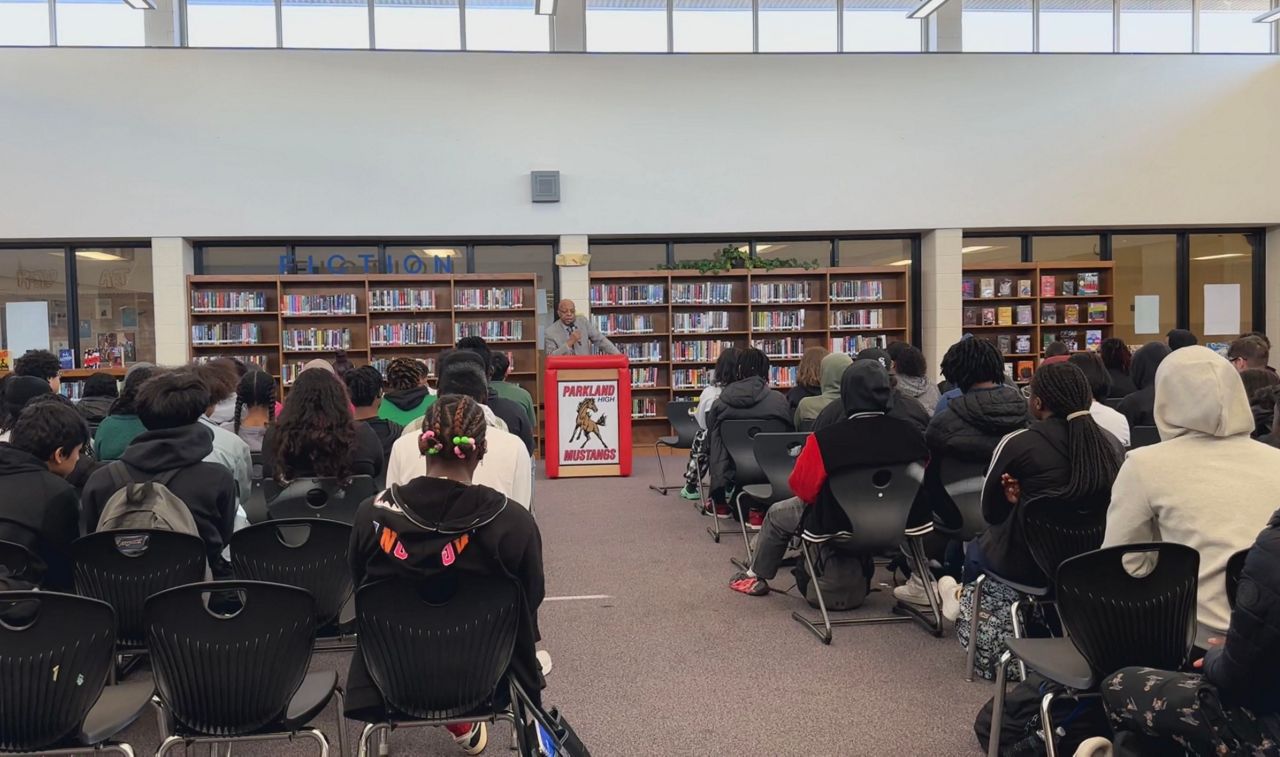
column 405, row 531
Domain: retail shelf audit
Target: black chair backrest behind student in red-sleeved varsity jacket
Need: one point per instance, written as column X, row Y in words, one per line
column 877, row 501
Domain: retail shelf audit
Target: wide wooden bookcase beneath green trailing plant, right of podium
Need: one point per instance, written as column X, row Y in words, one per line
column 675, row 325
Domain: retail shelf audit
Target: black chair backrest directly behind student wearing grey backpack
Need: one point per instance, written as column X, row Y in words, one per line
column 124, row 568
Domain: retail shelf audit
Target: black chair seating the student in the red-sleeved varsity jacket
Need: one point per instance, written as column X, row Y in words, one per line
column 877, row 501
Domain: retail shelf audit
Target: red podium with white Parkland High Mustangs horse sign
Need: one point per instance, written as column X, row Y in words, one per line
column 588, row 416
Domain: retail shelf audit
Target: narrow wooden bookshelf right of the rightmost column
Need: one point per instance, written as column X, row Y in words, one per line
column 1023, row 307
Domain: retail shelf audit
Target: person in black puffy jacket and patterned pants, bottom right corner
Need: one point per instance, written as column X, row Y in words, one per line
column 1232, row 706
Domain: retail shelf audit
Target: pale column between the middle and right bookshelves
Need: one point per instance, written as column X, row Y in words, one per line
column 940, row 291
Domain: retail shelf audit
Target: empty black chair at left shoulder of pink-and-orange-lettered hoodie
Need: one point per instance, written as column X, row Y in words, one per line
column 305, row 553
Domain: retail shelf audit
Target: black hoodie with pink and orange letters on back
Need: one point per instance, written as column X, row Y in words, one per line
column 405, row 532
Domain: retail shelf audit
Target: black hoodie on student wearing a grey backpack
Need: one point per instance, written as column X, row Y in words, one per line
column 207, row 489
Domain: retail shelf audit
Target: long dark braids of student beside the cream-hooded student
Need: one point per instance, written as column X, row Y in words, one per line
column 1067, row 394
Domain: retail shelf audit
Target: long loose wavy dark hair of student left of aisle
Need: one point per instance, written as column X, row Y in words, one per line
column 316, row 431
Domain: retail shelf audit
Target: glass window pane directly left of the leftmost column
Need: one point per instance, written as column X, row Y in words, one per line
column 117, row 305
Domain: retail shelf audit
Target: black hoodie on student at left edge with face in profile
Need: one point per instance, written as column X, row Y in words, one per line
column 40, row 512
